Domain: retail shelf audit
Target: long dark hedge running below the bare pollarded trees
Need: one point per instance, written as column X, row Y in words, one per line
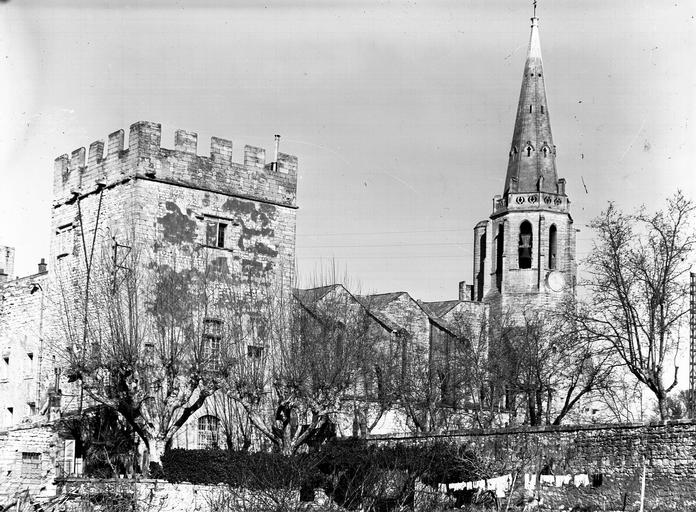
column 348, row 460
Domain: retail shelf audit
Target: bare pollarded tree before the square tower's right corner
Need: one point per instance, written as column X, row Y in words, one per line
column 296, row 366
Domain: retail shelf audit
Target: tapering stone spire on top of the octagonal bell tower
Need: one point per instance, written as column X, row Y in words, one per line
column 532, row 163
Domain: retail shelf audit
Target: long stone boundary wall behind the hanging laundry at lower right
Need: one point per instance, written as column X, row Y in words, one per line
column 613, row 455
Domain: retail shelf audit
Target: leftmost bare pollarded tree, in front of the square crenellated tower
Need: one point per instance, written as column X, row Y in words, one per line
column 137, row 339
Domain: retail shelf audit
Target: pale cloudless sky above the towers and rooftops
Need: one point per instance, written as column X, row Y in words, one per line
column 401, row 113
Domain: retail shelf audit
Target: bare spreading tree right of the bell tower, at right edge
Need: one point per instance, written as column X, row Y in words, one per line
column 638, row 288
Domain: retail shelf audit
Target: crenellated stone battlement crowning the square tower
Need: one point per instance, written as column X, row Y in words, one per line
column 83, row 172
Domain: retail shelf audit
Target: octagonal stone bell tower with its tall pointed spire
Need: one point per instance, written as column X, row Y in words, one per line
column 524, row 254
